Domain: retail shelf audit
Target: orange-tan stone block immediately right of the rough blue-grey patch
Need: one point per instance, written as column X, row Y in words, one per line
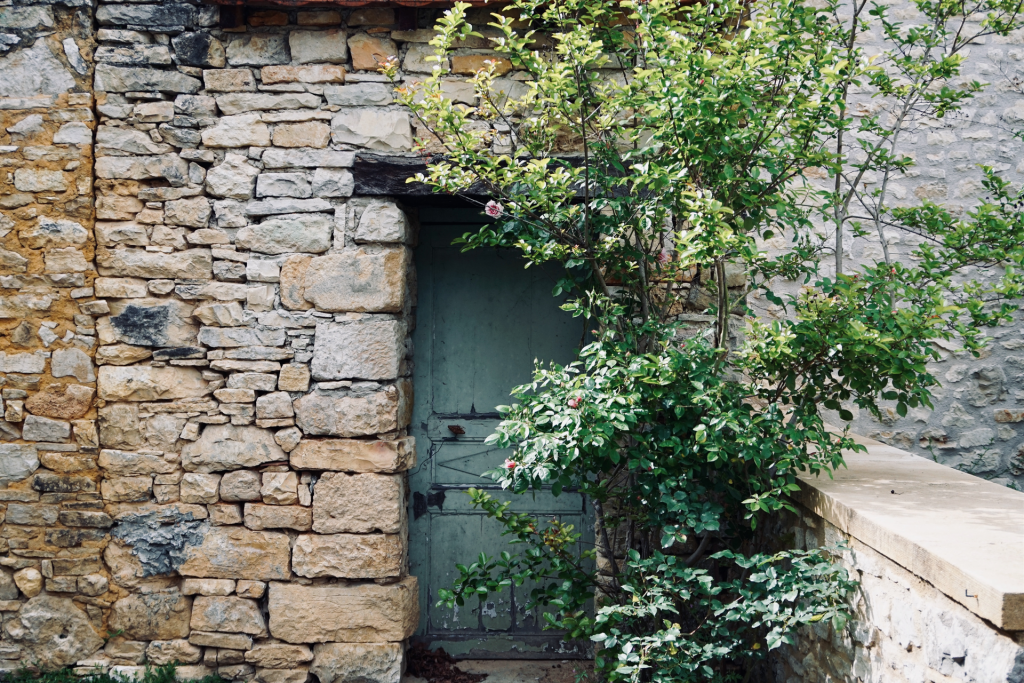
column 234, row 552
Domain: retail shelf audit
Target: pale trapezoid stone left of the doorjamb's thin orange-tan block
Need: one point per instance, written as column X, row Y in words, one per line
column 230, row 448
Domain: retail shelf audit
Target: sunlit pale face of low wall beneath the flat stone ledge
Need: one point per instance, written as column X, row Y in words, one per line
column 904, row 629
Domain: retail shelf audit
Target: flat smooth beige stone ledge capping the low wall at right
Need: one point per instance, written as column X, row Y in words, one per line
column 961, row 534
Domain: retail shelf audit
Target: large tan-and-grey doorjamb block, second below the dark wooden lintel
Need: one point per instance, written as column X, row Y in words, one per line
column 365, row 280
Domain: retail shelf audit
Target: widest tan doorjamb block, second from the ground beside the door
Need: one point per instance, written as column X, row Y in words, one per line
column 359, row 614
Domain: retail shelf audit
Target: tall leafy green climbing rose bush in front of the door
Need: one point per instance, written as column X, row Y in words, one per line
column 650, row 149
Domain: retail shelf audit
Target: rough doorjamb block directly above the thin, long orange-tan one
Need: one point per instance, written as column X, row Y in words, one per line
column 345, row 414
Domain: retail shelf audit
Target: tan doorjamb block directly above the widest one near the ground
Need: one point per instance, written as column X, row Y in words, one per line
column 349, row 556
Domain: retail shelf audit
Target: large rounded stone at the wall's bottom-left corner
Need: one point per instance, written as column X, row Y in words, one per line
column 53, row 632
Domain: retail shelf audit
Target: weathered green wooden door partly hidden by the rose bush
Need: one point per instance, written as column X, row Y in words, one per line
column 482, row 320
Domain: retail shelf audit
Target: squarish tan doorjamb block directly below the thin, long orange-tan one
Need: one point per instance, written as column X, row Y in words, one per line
column 359, row 503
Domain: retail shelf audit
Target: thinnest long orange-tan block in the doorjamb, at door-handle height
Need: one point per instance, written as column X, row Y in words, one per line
column 344, row 455
